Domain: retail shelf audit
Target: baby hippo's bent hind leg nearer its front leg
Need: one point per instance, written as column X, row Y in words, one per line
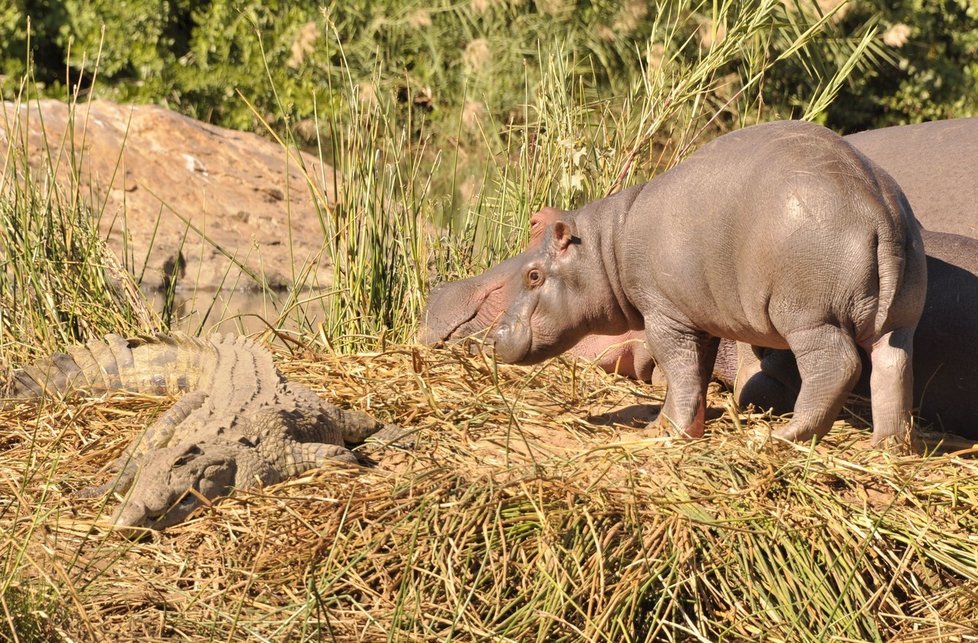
column 829, row 365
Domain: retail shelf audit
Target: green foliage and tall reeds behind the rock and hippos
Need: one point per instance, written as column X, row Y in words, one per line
column 471, row 114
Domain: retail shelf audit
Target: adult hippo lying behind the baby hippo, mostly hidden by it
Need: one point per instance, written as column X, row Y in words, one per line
column 937, row 165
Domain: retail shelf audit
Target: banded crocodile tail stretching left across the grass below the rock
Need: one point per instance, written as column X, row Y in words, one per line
column 157, row 364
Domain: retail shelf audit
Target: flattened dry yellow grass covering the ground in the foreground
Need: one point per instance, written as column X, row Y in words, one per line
column 517, row 516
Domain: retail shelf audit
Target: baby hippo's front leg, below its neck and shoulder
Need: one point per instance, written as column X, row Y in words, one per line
column 686, row 358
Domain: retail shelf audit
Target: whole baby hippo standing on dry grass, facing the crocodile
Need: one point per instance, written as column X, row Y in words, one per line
column 779, row 235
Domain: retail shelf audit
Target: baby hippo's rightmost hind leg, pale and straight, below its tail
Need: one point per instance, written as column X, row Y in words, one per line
column 891, row 388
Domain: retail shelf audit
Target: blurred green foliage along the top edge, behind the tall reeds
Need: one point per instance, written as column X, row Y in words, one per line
column 193, row 56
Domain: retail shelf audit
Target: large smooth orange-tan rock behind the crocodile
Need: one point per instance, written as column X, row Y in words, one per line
column 237, row 189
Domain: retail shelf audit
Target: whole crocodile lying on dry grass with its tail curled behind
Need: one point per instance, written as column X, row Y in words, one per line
column 240, row 424
